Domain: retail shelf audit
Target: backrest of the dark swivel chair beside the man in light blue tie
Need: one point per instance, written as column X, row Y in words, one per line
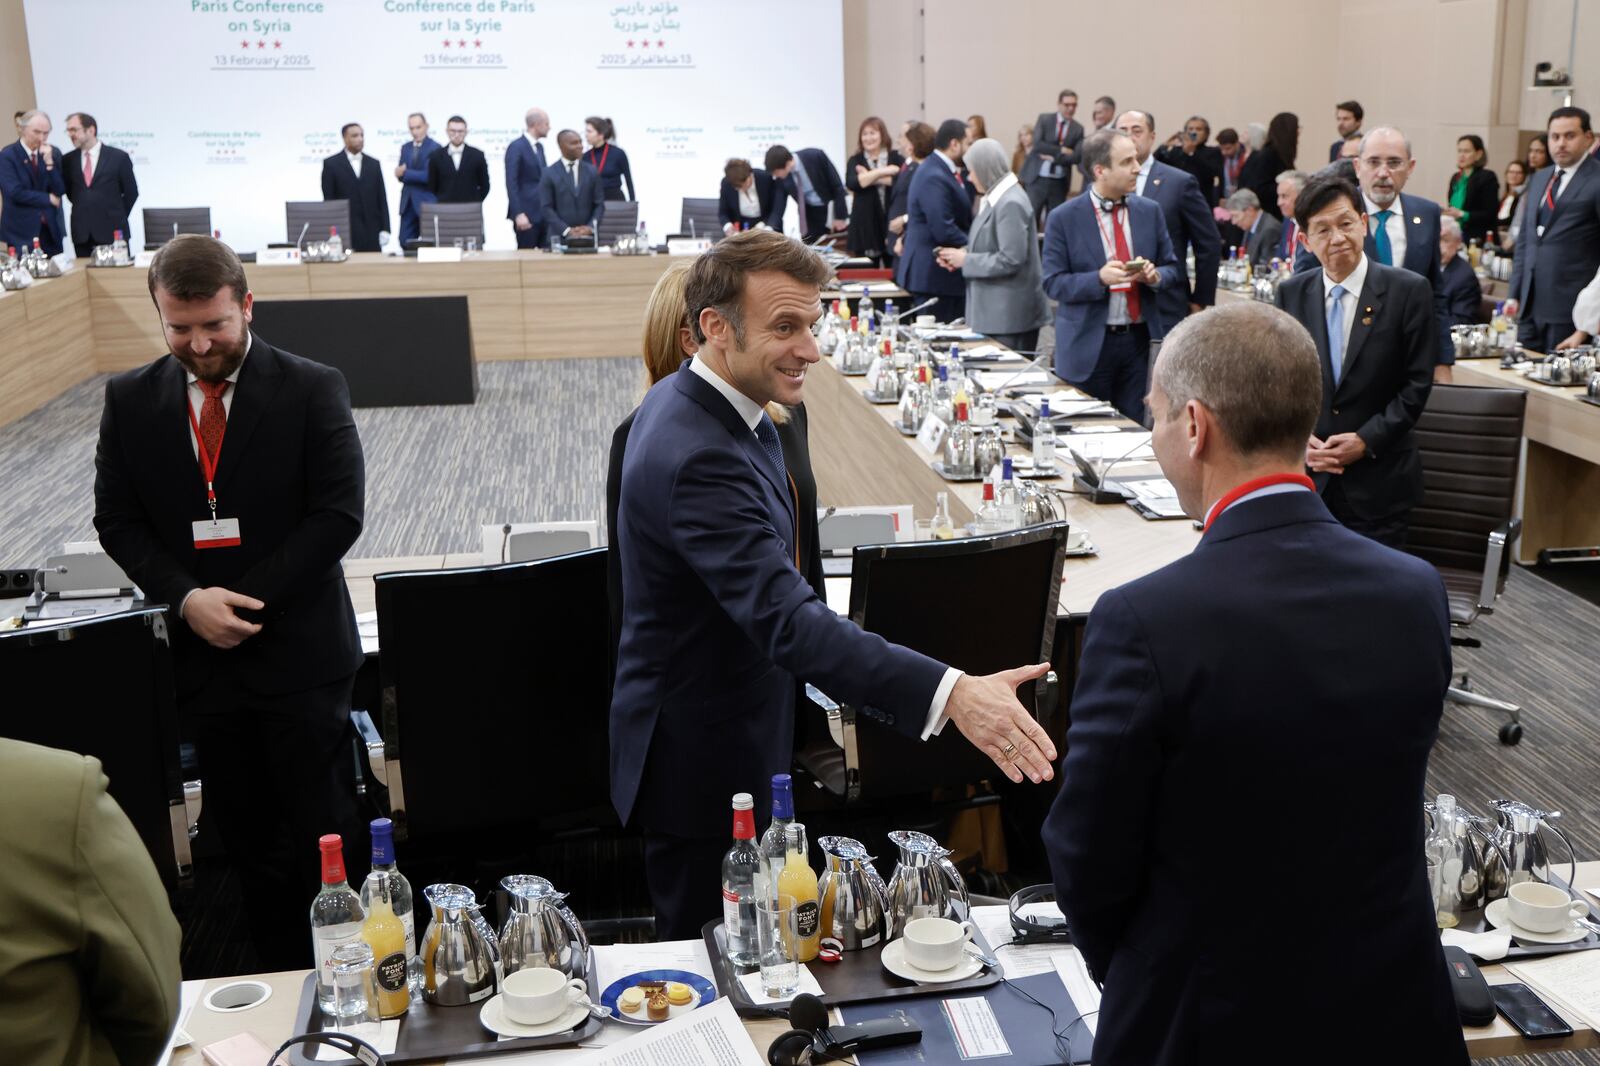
column 1470, row 441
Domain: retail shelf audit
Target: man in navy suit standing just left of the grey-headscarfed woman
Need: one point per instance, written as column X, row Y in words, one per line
column 938, row 217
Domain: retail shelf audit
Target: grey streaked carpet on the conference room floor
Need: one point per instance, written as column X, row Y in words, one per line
column 535, row 449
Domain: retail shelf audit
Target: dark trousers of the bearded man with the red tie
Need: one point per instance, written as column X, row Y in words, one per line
column 278, row 775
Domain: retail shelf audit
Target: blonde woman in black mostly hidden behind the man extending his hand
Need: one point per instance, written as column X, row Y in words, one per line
column 668, row 342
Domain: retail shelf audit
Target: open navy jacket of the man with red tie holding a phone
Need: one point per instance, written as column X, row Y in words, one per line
column 1074, row 257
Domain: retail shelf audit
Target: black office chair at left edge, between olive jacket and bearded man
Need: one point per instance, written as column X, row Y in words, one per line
column 105, row 687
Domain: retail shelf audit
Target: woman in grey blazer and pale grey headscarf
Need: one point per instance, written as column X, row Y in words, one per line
column 1006, row 291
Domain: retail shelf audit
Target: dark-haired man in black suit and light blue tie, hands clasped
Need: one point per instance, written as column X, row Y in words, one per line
column 1377, row 332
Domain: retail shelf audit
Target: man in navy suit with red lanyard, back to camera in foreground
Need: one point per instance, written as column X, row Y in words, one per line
column 1222, row 687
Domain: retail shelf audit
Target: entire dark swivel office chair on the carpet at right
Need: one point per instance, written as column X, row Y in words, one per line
column 1470, row 441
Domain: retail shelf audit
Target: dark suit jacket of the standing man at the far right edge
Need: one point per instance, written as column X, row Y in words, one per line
column 1550, row 271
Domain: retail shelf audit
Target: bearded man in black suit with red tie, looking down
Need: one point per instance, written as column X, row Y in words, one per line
column 230, row 483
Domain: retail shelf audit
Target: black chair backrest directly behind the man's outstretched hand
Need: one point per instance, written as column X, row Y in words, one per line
column 930, row 598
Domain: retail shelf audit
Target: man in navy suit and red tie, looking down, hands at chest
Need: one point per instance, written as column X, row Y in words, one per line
column 1106, row 258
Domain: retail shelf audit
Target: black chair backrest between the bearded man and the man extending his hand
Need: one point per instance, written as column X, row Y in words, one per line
column 497, row 694
